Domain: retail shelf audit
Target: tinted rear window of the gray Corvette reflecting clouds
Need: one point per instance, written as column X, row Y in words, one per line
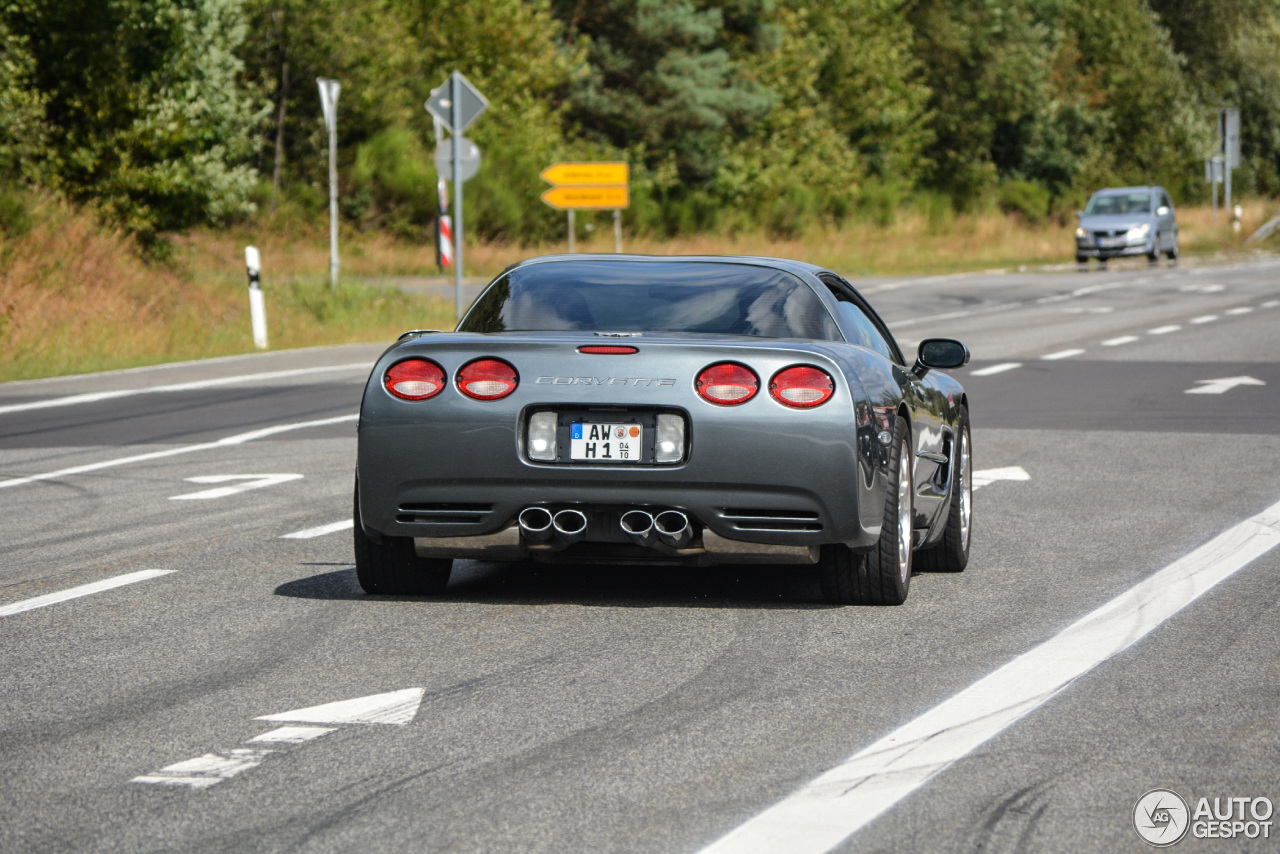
column 644, row 296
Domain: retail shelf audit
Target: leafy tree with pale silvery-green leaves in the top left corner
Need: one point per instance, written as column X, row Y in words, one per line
column 147, row 103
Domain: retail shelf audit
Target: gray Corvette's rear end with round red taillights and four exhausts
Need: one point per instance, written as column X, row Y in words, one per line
column 639, row 447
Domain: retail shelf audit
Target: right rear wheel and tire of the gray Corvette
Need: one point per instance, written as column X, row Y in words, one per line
column 884, row 574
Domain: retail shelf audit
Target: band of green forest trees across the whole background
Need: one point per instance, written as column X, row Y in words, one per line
column 737, row 116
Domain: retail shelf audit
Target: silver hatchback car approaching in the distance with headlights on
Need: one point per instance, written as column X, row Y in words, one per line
column 1127, row 221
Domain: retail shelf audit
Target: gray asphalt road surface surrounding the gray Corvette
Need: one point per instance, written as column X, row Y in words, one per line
column 610, row 710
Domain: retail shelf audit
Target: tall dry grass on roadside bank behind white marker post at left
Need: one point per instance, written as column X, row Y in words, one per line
column 76, row 298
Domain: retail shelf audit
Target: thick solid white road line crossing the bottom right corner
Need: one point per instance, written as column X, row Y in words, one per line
column 840, row 802
